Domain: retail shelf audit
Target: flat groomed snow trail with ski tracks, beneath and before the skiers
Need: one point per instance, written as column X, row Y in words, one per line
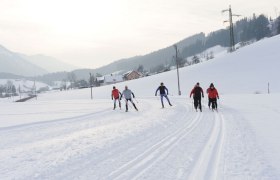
column 173, row 143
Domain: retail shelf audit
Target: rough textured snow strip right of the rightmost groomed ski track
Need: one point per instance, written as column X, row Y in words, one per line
column 244, row 158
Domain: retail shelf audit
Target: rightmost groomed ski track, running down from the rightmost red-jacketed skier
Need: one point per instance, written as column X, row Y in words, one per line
column 207, row 166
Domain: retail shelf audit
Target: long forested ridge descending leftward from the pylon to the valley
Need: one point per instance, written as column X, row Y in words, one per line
column 246, row 29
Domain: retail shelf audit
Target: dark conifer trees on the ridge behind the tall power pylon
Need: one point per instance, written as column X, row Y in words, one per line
column 245, row 30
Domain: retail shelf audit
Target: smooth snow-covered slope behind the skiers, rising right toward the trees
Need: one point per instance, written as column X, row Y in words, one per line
column 247, row 70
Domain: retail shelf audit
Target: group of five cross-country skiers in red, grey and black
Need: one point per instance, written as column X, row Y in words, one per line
column 196, row 92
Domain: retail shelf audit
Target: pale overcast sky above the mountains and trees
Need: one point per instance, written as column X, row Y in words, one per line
column 92, row 33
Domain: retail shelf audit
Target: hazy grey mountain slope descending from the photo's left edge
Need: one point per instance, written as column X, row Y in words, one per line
column 11, row 62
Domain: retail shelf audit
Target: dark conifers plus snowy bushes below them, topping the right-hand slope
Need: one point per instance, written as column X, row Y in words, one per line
column 246, row 30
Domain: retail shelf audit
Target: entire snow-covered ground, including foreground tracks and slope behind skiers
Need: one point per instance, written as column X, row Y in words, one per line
column 66, row 135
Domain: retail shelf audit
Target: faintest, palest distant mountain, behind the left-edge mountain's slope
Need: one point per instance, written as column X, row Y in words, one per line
column 51, row 64
